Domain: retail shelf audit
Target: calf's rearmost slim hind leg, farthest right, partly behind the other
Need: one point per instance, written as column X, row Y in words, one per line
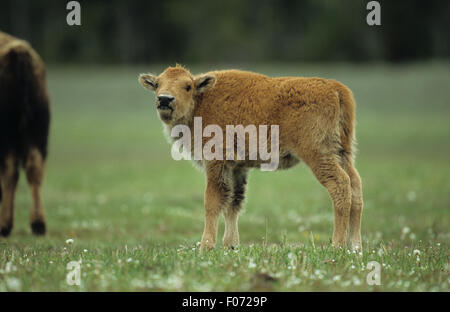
column 357, row 205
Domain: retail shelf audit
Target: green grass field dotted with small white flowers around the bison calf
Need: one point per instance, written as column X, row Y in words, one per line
column 136, row 216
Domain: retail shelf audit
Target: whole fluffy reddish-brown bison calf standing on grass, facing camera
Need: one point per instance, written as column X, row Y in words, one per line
column 316, row 125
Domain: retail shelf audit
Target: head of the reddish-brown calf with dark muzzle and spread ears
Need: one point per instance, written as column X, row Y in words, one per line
column 175, row 91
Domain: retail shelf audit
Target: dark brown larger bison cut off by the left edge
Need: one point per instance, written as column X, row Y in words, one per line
column 24, row 126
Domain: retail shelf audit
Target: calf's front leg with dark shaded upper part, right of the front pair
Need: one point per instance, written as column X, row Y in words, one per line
column 231, row 213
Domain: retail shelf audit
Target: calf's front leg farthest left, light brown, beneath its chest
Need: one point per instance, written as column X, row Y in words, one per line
column 217, row 195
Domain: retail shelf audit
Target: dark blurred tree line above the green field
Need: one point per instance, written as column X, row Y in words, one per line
column 230, row 31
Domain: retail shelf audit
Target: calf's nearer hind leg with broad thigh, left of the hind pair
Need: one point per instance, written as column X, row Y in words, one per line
column 335, row 179
